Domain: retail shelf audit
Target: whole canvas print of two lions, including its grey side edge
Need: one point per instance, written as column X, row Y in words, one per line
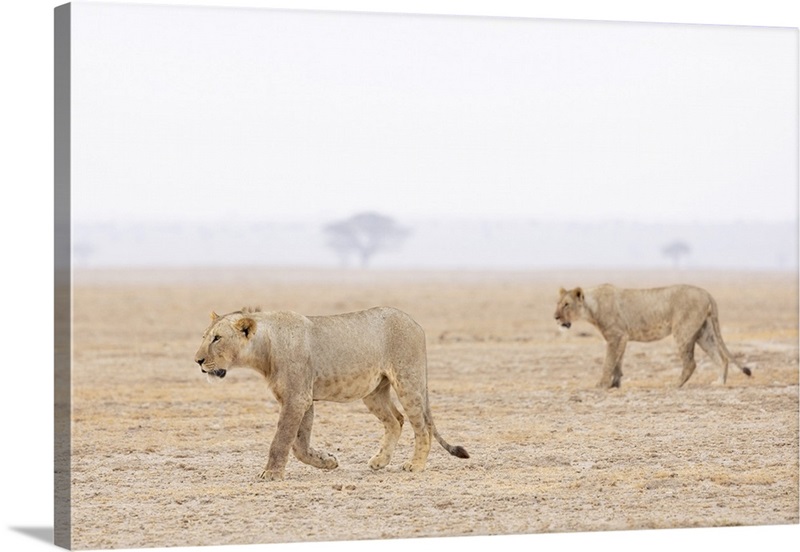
column 327, row 276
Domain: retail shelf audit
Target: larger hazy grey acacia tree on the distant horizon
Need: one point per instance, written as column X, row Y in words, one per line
column 364, row 235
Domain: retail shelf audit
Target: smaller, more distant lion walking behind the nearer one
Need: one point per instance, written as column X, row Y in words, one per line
column 686, row 312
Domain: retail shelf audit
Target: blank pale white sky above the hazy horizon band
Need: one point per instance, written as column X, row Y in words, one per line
column 197, row 113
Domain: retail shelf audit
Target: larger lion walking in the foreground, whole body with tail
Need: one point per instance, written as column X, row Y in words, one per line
column 341, row 358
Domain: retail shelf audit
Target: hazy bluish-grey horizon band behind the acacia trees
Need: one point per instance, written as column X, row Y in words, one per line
column 443, row 244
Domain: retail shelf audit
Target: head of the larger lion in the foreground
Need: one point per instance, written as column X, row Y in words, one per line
column 222, row 342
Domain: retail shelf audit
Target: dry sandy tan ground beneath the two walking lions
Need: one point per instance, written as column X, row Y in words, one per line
column 163, row 458
